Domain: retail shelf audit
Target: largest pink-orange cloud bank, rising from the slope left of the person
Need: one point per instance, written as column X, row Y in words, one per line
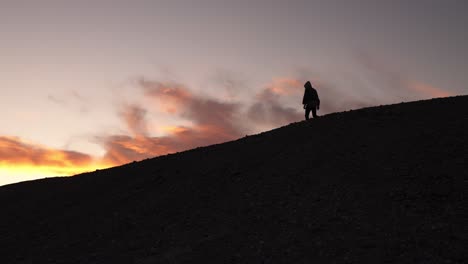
column 214, row 121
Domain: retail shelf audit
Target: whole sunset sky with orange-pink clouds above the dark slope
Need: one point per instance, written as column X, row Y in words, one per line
column 92, row 84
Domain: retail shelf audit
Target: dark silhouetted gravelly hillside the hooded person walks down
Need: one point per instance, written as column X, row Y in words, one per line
column 377, row 185
